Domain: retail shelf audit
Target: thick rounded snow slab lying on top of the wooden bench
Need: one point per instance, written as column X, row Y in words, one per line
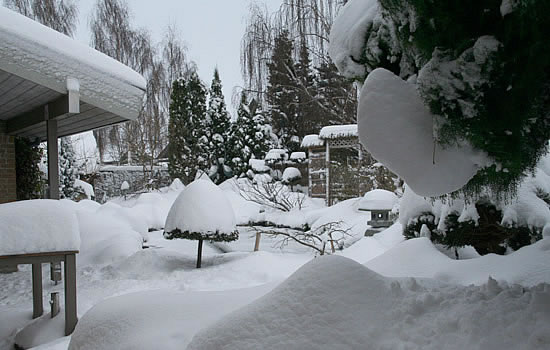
column 37, row 226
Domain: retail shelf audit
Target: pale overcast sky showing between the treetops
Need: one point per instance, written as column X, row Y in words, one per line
column 211, row 30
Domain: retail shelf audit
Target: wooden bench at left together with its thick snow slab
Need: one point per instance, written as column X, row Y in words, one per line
column 42, row 231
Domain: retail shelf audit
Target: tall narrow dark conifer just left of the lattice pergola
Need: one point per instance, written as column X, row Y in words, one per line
column 281, row 93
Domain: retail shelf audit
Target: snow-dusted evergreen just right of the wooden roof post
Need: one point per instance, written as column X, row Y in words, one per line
column 67, row 169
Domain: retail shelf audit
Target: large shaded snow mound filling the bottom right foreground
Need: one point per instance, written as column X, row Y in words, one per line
column 335, row 303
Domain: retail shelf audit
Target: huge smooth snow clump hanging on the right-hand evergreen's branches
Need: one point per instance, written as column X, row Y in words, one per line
column 397, row 129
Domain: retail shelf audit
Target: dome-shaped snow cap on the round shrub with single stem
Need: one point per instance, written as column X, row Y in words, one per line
column 201, row 207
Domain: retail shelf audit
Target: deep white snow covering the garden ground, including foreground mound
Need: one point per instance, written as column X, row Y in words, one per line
column 162, row 300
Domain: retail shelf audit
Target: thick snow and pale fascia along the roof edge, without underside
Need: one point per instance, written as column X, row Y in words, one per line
column 42, row 55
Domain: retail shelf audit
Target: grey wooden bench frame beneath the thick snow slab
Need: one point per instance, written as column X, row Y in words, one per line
column 36, row 259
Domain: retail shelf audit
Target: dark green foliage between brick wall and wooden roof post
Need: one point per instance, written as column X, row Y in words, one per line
column 29, row 177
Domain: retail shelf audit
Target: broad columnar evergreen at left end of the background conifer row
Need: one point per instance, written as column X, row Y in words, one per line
column 187, row 129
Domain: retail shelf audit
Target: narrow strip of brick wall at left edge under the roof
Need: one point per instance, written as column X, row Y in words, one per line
column 7, row 166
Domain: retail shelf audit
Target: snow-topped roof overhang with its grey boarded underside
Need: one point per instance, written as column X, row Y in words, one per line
column 45, row 74
